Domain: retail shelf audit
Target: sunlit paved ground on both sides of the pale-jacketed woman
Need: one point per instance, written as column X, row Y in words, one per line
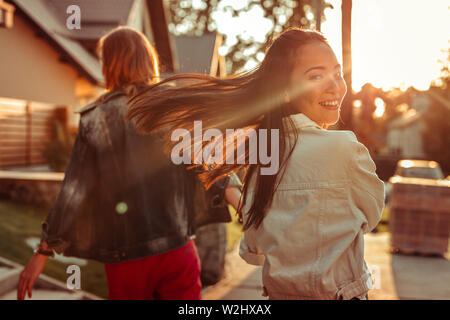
column 396, row 276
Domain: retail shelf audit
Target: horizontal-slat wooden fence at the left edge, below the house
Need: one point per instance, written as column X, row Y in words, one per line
column 25, row 128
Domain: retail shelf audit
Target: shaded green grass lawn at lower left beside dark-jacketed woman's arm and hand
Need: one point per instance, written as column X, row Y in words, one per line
column 19, row 222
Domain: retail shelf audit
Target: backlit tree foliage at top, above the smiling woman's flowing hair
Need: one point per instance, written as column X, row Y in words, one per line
column 195, row 17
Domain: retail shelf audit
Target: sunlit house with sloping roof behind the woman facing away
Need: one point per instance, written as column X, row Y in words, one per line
column 46, row 62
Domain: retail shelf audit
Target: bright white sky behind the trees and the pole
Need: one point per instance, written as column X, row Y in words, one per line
column 395, row 43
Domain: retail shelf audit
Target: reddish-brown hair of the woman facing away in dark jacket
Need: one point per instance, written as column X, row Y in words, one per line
column 129, row 60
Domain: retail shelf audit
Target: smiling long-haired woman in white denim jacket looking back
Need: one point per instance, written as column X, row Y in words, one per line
column 304, row 224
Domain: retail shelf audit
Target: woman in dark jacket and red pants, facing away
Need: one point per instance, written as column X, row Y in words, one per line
column 123, row 202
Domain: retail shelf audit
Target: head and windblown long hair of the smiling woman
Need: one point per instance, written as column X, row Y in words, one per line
column 263, row 99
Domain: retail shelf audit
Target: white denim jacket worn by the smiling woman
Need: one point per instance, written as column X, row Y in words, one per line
column 311, row 243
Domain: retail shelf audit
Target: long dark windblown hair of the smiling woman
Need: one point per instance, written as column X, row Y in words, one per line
column 254, row 99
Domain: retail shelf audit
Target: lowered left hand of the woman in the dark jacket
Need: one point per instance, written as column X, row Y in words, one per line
column 29, row 275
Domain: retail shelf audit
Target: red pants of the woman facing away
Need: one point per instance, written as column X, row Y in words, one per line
column 172, row 275
